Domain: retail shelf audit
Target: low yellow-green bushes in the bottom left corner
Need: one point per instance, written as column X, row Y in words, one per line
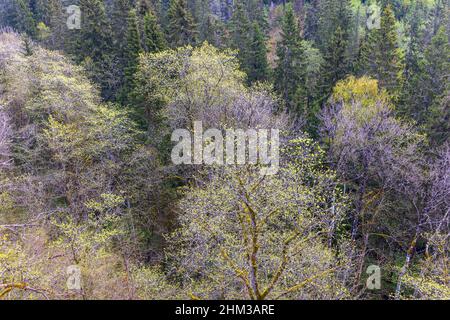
column 37, row 265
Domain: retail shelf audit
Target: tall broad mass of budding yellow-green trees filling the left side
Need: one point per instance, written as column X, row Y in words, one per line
column 61, row 196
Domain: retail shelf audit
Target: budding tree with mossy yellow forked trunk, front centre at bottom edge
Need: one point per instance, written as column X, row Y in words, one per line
column 244, row 235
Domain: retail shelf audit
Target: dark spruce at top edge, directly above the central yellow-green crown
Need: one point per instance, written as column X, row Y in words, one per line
column 181, row 28
